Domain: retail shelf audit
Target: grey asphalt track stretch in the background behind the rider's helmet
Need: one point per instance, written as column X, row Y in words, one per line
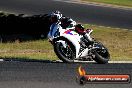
column 104, row 16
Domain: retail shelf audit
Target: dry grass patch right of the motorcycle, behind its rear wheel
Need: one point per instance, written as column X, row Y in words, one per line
column 118, row 41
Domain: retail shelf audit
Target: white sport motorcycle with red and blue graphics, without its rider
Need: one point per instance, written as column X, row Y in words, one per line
column 70, row 46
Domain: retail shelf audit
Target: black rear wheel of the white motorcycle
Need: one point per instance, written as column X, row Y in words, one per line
column 102, row 56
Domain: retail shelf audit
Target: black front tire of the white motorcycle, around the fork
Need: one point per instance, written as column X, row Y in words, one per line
column 60, row 54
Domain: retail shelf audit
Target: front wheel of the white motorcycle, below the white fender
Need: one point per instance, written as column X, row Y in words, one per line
column 66, row 54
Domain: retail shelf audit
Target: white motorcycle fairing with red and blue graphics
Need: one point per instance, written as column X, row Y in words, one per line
column 73, row 37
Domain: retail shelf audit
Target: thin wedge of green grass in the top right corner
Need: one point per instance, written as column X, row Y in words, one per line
column 114, row 2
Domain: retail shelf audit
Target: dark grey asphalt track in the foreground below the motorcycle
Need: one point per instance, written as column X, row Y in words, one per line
column 57, row 75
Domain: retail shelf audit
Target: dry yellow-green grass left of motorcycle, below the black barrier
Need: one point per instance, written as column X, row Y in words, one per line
column 39, row 49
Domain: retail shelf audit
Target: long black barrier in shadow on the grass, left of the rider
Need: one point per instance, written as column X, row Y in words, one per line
column 22, row 27
